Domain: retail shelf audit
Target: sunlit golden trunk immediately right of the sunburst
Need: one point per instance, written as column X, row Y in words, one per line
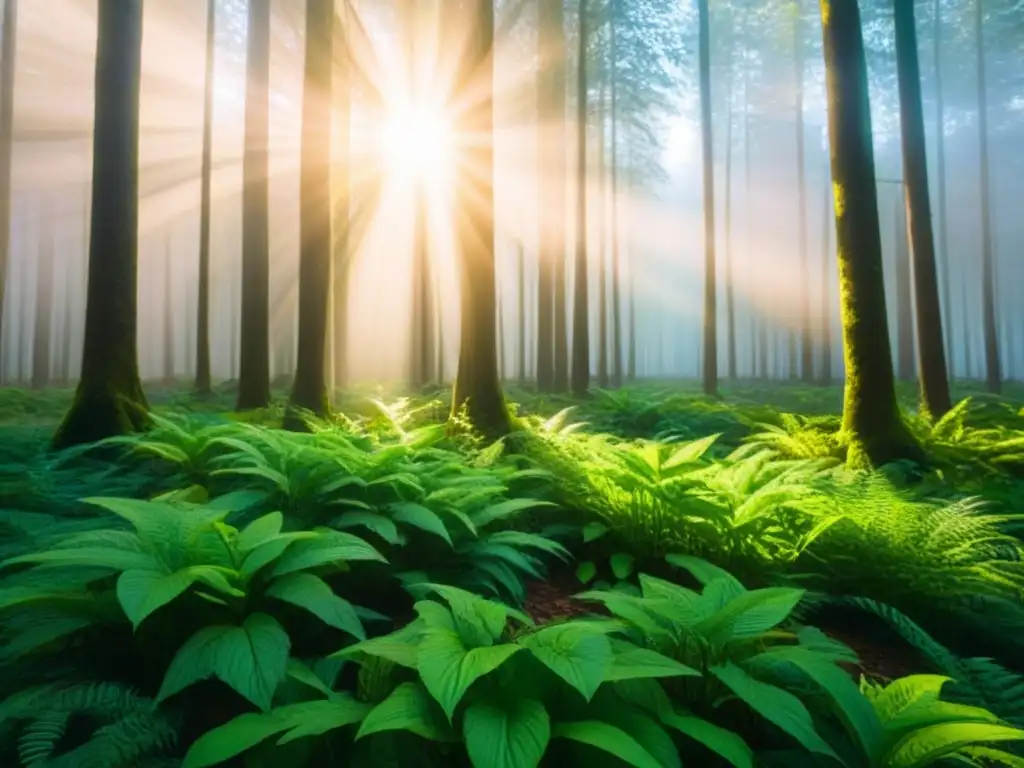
column 478, row 389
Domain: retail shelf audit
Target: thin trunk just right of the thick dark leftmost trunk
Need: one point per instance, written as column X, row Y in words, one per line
column 204, row 381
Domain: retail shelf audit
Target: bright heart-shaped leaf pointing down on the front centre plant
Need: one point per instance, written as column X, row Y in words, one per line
column 448, row 668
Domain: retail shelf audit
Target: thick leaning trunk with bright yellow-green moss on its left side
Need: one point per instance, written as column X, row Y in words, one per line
column 873, row 425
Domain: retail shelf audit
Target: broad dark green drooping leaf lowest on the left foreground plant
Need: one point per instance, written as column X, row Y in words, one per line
column 251, row 659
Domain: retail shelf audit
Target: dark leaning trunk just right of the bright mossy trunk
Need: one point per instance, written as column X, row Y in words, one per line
column 932, row 372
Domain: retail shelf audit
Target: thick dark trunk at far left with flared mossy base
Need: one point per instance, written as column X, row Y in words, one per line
column 110, row 399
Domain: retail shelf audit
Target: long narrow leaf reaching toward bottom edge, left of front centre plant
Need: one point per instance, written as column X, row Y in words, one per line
column 244, row 733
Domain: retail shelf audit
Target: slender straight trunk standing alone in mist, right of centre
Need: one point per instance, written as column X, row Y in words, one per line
column 710, row 346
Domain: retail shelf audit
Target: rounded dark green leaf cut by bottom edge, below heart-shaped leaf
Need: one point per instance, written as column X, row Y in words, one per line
column 514, row 735
